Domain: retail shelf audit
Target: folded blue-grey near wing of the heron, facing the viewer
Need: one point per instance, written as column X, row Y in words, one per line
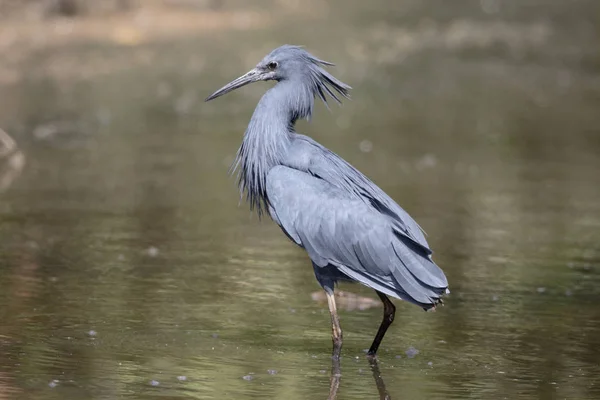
column 338, row 229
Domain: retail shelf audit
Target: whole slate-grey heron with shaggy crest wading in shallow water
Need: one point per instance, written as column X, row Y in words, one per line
column 351, row 229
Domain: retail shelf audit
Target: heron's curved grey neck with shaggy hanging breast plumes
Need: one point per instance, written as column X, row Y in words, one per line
column 267, row 140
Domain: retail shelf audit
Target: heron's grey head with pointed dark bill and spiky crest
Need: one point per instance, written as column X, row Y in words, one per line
column 291, row 63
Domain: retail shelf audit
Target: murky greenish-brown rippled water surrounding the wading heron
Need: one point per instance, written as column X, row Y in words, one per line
column 127, row 269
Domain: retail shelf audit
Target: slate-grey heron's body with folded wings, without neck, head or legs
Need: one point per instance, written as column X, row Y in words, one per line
column 331, row 213
